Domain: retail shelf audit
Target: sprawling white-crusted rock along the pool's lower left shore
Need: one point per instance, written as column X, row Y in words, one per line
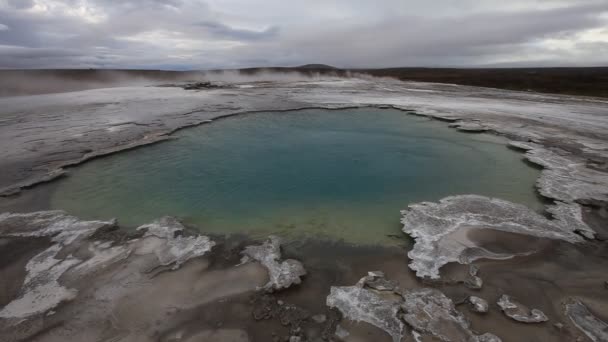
column 41, row 290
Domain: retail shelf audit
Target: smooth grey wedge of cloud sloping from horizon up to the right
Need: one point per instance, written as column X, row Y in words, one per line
column 437, row 41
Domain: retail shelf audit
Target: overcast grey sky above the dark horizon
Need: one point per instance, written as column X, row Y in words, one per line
column 208, row 34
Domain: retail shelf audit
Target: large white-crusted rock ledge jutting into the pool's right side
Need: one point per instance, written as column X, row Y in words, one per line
column 440, row 229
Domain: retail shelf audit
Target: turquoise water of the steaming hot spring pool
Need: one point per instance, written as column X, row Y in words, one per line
column 316, row 173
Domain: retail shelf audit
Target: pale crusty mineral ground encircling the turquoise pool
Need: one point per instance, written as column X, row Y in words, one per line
column 542, row 276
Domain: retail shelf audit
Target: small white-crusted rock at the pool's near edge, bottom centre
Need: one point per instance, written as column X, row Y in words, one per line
column 282, row 274
